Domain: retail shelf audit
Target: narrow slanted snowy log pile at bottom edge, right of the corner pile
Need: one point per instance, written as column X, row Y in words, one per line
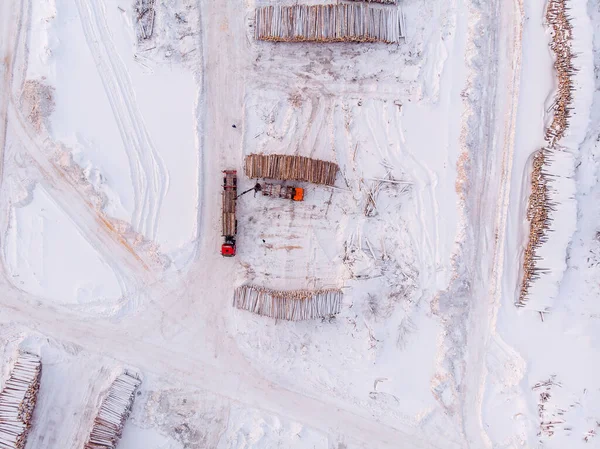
column 113, row 413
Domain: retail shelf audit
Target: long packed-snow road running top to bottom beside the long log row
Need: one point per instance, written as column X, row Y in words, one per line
column 494, row 90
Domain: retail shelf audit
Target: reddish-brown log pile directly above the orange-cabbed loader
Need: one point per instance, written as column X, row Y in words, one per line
column 293, row 168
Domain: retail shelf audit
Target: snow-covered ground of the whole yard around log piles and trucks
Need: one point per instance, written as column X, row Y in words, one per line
column 113, row 148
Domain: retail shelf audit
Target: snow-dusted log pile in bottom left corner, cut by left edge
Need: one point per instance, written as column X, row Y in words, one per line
column 17, row 401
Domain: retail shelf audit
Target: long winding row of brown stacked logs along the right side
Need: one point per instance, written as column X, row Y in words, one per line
column 540, row 205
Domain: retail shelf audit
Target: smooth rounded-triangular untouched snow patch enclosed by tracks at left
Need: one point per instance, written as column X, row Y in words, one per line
column 47, row 255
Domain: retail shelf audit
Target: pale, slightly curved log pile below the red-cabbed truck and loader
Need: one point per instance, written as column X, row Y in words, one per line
column 291, row 305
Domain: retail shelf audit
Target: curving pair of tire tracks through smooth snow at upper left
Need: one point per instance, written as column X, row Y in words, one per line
column 148, row 173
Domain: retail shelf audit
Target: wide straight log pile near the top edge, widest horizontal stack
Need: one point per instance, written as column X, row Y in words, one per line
column 329, row 23
